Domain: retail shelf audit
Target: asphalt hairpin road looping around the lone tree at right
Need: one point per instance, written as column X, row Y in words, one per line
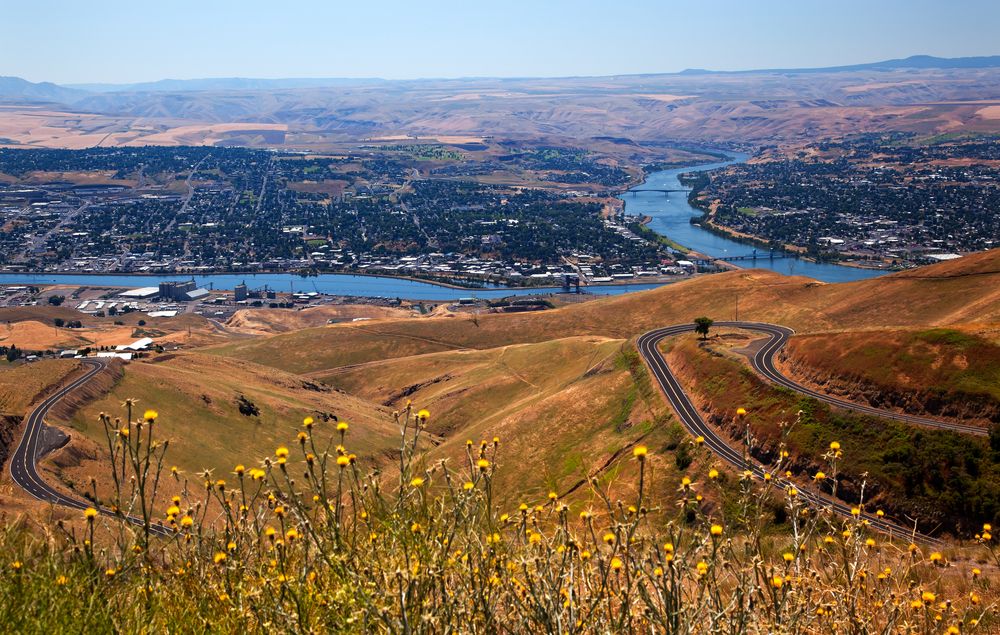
column 763, row 363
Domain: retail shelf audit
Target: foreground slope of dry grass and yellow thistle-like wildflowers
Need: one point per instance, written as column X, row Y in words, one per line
column 432, row 550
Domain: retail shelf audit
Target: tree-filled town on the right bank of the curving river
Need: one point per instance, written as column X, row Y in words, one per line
column 889, row 199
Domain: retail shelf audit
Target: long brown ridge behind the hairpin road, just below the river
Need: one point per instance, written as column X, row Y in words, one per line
column 959, row 291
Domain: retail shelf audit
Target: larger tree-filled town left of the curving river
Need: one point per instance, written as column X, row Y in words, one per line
column 197, row 210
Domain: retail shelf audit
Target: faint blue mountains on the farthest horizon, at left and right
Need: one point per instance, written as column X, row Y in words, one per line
column 17, row 89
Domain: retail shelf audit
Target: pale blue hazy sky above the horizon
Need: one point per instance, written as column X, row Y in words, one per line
column 71, row 41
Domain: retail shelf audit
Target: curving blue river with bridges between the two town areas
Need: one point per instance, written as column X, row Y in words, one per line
column 671, row 216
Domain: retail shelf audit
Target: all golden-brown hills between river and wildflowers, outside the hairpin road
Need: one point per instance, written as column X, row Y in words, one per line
column 562, row 389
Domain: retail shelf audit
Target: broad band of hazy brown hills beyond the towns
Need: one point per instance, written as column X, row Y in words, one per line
column 759, row 107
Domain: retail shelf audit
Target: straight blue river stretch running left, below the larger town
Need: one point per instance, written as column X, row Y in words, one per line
column 331, row 283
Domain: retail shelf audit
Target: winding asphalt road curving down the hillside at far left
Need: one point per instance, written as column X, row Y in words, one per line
column 23, row 463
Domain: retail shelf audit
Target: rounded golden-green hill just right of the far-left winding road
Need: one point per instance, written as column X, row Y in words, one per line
column 199, row 395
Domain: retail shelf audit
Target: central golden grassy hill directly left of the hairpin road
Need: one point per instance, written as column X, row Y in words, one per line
column 565, row 410
